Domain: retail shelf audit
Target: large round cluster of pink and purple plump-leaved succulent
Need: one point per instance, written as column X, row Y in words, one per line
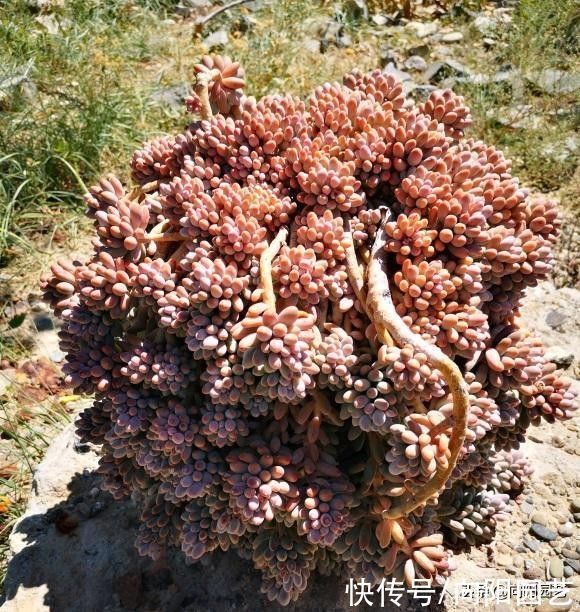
column 300, row 326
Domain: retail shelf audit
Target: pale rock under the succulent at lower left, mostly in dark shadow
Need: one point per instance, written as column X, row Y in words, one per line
column 73, row 551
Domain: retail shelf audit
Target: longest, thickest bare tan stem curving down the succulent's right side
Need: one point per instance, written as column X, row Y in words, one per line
column 385, row 317
